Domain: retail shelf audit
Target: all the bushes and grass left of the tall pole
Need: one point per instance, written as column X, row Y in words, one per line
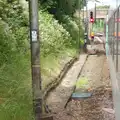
column 15, row 79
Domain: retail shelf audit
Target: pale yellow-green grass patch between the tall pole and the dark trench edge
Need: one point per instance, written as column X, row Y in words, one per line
column 52, row 65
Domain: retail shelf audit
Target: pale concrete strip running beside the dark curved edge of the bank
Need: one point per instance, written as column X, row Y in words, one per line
column 59, row 97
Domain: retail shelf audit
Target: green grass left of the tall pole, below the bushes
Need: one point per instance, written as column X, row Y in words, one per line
column 15, row 90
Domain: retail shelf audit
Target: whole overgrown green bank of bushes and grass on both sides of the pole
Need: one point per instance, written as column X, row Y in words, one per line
column 58, row 45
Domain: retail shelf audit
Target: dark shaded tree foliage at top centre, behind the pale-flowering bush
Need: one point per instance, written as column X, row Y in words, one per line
column 63, row 11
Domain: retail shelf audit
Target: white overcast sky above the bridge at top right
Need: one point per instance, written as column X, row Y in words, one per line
column 112, row 3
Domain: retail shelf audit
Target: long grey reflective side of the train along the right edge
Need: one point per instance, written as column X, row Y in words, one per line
column 112, row 32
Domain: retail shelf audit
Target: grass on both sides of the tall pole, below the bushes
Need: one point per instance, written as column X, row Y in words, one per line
column 15, row 84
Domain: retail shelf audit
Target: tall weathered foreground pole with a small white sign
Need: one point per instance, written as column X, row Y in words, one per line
column 35, row 58
